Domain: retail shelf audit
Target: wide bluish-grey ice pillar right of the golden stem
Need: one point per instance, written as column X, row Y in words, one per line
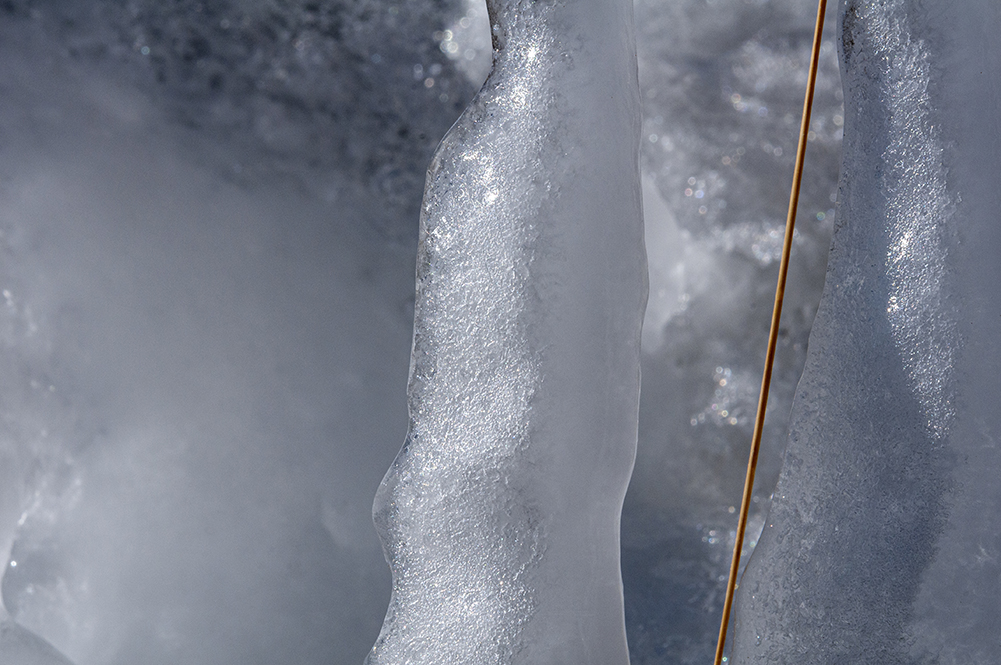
column 884, row 540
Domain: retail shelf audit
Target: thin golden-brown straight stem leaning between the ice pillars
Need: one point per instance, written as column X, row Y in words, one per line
column 773, row 334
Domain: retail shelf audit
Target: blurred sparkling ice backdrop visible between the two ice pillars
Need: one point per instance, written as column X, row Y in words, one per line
column 722, row 88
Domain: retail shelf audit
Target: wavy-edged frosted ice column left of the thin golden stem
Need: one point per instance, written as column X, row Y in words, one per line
column 500, row 517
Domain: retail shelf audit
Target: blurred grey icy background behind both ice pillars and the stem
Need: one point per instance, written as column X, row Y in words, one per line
column 209, row 215
